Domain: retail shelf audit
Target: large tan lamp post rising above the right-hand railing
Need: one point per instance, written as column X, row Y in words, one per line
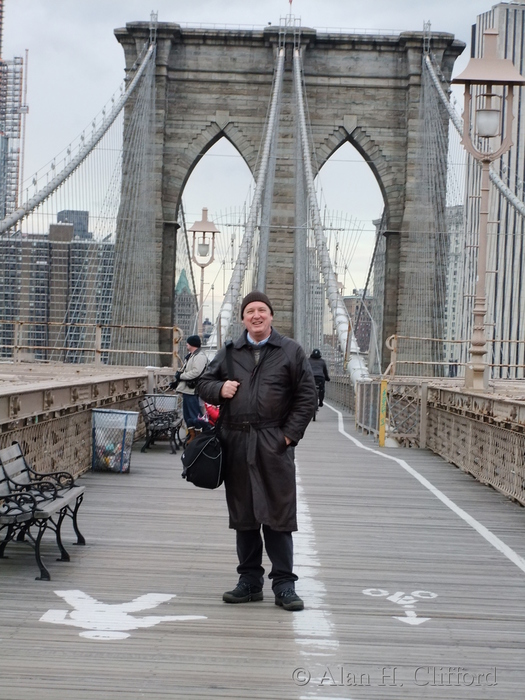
column 480, row 77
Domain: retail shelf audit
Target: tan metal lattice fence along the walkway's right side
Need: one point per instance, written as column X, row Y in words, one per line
column 482, row 435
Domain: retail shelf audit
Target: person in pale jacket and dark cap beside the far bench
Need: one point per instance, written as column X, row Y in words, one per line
column 185, row 383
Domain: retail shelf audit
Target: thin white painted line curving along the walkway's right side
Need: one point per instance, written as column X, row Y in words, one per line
column 475, row 524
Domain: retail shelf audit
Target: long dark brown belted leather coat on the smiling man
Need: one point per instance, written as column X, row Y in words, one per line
column 276, row 397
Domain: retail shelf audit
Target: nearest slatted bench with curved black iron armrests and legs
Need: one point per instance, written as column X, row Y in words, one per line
column 33, row 501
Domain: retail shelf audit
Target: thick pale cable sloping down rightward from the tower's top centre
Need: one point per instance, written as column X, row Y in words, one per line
column 355, row 365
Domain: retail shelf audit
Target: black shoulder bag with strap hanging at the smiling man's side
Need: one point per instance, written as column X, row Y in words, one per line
column 202, row 457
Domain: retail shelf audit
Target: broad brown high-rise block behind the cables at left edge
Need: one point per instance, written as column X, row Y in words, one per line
column 54, row 288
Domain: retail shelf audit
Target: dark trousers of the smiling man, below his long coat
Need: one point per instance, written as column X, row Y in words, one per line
column 279, row 547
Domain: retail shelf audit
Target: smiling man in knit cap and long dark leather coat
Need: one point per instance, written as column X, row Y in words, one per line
column 267, row 408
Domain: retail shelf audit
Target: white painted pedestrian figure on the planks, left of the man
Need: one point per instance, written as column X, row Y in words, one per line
column 105, row 621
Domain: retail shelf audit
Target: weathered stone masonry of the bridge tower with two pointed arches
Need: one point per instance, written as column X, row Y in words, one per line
column 362, row 89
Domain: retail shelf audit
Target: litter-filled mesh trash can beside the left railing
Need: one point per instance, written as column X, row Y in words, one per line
column 113, row 433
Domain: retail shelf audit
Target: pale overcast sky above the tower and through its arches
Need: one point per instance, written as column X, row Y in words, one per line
column 75, row 65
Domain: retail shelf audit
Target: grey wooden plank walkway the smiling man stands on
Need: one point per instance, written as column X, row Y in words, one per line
column 412, row 573
